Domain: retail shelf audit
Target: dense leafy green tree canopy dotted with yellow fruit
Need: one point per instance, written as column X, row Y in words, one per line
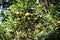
column 27, row 20
